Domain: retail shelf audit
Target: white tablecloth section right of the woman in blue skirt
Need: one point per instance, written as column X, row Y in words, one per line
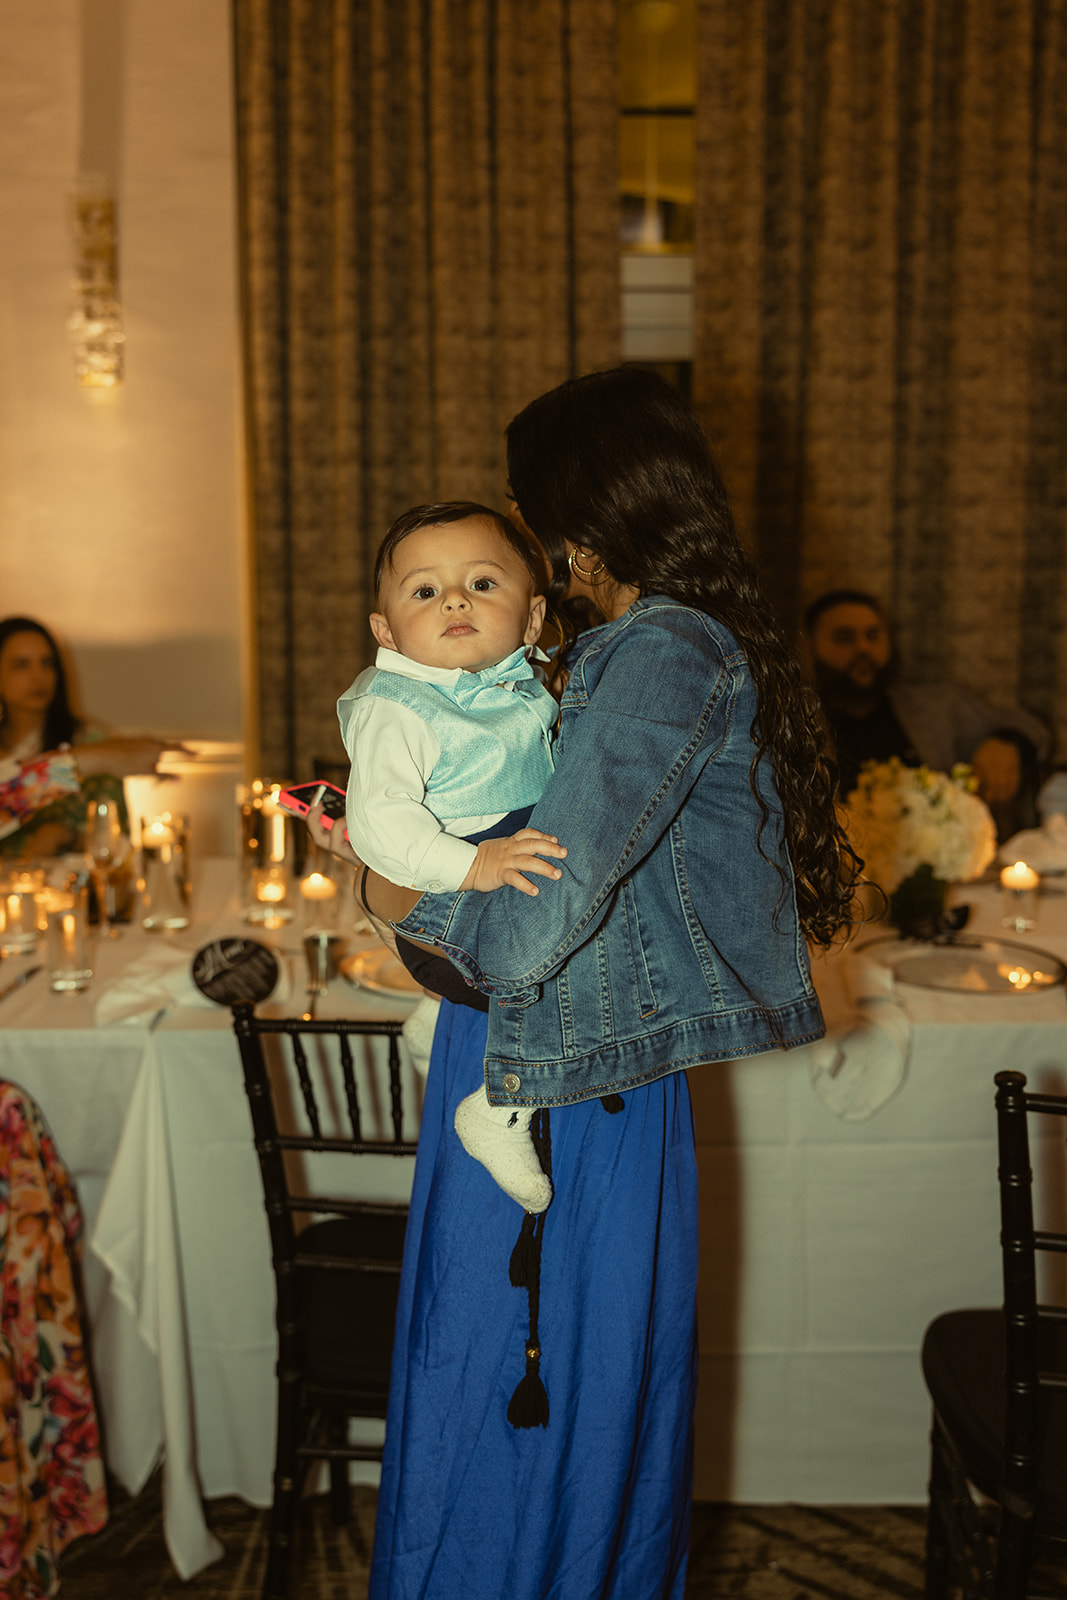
column 828, row 1246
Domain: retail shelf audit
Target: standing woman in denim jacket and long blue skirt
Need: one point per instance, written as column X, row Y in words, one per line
column 697, row 809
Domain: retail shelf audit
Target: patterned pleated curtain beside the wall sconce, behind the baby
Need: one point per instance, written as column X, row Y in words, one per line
column 430, row 239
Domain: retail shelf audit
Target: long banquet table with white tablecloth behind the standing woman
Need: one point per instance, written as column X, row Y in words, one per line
column 841, row 1210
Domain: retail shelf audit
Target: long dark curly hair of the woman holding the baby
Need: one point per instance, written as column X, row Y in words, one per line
column 618, row 465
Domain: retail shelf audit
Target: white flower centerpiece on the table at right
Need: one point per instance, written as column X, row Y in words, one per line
column 919, row 833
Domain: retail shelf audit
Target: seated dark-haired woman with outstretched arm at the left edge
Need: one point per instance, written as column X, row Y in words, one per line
column 36, row 718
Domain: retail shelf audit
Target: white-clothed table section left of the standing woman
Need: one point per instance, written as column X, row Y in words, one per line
column 153, row 1121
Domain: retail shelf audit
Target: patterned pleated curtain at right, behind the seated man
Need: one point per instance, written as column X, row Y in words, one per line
column 882, row 316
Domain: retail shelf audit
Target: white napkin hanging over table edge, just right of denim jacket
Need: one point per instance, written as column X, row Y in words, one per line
column 858, row 1071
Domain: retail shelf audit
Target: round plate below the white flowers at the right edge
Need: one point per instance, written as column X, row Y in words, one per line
column 970, row 966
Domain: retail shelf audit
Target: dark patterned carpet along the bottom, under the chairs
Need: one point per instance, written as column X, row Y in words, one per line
column 756, row 1553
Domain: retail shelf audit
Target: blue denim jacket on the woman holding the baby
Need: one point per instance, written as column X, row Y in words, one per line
column 669, row 940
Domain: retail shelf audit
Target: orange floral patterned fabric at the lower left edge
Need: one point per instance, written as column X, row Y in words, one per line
column 52, row 1473
